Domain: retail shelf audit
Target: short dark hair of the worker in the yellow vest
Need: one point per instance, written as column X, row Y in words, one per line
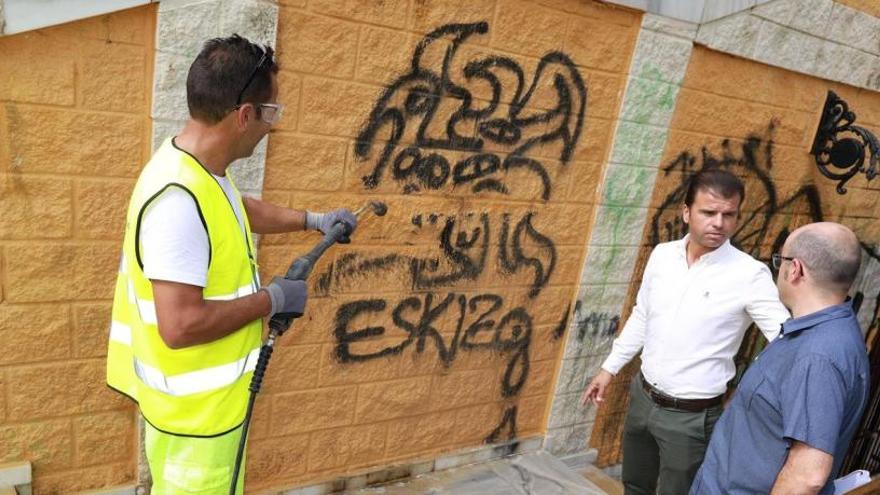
column 226, row 74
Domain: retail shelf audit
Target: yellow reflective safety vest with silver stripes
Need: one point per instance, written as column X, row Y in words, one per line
column 199, row 390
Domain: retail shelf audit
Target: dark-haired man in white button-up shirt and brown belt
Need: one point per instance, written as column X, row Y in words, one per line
column 698, row 296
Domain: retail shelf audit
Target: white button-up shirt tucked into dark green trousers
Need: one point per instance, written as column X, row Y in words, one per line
column 689, row 322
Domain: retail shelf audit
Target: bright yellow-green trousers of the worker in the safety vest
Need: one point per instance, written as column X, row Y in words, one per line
column 192, row 465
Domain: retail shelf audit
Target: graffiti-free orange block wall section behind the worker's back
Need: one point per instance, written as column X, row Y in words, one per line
column 74, row 132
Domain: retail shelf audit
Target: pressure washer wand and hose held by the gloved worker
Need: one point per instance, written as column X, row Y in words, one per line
column 279, row 323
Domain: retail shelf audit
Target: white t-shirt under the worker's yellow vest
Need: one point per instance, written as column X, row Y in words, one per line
column 174, row 243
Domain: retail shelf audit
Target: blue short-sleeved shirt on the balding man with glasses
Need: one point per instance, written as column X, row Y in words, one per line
column 810, row 385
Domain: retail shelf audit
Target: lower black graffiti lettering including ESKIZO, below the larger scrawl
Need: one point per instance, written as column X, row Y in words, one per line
column 464, row 243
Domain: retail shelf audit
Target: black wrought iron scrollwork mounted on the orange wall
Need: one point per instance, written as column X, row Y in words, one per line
column 839, row 145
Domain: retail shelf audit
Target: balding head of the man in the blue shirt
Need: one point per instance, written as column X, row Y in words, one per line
column 831, row 253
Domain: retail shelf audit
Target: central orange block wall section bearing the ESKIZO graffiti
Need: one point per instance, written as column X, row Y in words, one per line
column 436, row 329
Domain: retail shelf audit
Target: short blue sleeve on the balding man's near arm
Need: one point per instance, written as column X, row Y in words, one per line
column 812, row 399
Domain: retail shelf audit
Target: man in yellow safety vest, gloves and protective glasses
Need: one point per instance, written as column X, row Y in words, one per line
column 186, row 325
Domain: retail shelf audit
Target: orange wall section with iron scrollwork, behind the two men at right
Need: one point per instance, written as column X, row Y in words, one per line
column 759, row 122
